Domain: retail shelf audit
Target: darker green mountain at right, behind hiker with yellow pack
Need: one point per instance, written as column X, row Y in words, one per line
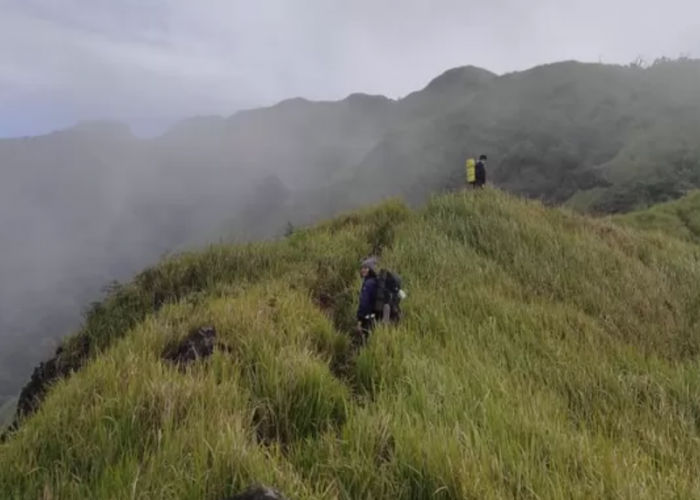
column 600, row 138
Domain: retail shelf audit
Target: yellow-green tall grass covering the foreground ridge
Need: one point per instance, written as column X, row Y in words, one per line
column 544, row 355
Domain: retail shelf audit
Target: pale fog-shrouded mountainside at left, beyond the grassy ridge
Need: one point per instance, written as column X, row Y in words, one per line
column 103, row 204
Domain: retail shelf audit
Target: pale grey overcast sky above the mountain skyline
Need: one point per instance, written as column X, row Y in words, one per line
column 150, row 61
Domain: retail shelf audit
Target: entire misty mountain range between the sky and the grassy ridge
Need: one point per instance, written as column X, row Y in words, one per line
column 103, row 204
